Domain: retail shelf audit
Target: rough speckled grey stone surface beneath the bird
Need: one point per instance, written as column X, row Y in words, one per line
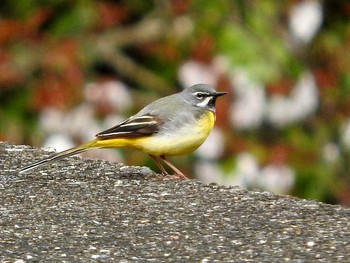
column 82, row 210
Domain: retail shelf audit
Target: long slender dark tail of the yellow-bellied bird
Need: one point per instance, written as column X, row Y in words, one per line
column 73, row 151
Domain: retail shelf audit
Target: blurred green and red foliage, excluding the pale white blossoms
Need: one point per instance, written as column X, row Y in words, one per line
column 50, row 49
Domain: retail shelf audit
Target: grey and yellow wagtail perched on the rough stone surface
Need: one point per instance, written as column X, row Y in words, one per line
column 174, row 125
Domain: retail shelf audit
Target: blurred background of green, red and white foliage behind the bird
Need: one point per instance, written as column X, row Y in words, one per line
column 69, row 69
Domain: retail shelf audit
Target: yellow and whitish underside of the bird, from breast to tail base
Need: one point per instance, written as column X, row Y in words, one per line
column 181, row 141
